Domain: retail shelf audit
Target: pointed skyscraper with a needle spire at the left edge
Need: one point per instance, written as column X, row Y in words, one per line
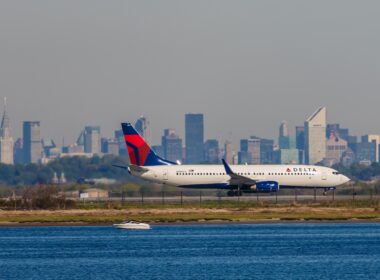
column 6, row 140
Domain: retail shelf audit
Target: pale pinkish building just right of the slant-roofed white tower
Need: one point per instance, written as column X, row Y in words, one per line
column 335, row 148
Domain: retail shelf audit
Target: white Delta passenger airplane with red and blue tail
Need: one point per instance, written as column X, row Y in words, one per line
column 235, row 179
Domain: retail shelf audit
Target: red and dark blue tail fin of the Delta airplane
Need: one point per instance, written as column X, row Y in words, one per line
column 139, row 151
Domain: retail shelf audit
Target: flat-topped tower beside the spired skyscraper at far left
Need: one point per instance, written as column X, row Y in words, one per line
column 32, row 145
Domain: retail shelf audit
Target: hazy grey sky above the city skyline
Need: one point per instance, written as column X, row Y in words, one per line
column 247, row 65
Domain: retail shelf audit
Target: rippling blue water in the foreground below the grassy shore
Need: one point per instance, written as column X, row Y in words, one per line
column 275, row 251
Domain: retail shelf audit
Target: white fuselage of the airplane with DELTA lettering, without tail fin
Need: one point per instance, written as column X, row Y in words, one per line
column 214, row 176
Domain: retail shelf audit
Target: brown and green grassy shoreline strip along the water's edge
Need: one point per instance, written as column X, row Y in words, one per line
column 187, row 216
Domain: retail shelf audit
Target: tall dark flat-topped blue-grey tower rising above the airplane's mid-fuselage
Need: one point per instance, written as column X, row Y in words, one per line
column 194, row 137
